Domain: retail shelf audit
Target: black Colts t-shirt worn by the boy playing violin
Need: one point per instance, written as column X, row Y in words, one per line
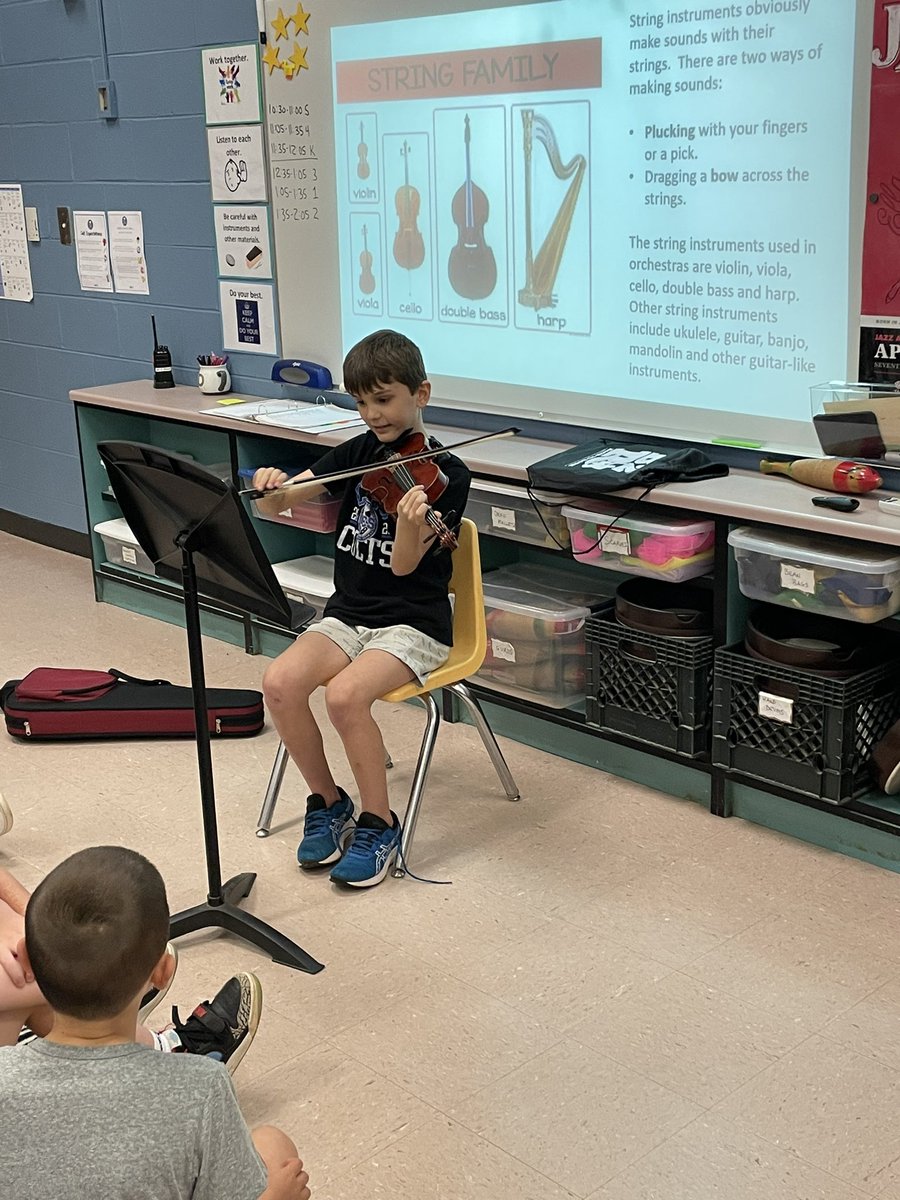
column 367, row 591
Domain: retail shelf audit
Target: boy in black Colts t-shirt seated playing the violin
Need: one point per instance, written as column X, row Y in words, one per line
column 388, row 623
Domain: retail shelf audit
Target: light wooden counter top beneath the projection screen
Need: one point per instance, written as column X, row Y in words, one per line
column 741, row 496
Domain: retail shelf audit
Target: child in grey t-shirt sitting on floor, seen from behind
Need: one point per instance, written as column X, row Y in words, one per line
column 87, row 1109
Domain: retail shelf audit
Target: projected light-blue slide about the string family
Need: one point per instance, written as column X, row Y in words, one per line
column 647, row 201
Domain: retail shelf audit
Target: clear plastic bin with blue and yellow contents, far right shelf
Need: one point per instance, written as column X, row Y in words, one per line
column 829, row 575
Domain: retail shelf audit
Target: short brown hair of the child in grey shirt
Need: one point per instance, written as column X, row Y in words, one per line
column 95, row 929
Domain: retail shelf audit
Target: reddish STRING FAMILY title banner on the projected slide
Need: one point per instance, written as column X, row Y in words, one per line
column 503, row 70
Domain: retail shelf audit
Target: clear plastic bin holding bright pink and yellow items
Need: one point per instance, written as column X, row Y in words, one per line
column 661, row 548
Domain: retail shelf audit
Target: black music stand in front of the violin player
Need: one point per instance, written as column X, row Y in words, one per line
column 195, row 530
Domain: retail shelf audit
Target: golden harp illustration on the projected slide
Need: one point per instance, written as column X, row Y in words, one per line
column 542, row 269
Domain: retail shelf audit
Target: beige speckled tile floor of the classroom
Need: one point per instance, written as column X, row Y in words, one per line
column 619, row 998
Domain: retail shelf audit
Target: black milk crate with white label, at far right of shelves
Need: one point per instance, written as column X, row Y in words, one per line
column 825, row 751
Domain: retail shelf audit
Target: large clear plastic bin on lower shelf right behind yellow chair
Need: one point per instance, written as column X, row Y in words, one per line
column 536, row 633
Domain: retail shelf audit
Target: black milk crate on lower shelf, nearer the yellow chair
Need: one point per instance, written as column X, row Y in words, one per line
column 653, row 688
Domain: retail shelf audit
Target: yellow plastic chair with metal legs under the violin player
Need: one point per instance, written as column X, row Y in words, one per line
column 466, row 657
